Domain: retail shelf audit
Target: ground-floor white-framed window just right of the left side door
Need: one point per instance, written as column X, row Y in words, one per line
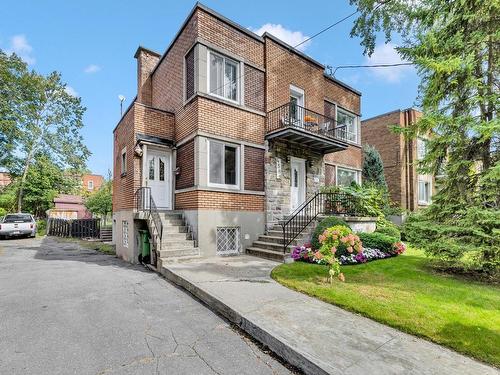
column 223, row 164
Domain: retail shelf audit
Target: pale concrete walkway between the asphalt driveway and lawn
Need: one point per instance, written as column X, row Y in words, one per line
column 312, row 335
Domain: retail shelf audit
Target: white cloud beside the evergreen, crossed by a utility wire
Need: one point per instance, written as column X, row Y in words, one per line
column 386, row 54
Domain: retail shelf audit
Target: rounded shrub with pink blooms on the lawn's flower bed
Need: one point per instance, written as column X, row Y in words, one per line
column 339, row 240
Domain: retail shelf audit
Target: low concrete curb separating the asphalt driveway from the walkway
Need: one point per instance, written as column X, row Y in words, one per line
column 276, row 344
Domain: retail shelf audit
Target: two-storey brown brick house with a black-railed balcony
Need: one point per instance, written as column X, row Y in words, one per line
column 229, row 133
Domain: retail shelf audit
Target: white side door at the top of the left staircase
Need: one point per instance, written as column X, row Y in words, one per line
column 158, row 177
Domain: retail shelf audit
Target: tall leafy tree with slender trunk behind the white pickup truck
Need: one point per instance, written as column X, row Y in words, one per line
column 47, row 119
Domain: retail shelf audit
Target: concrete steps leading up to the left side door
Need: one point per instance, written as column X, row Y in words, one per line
column 177, row 242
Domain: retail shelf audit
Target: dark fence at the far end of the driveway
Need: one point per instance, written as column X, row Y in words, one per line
column 81, row 228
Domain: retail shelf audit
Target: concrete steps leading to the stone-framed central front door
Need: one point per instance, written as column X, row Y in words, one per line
column 270, row 245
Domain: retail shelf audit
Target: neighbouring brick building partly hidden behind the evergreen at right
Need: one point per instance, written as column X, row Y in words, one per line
column 407, row 187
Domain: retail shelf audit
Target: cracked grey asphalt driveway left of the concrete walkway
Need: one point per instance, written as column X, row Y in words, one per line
column 67, row 310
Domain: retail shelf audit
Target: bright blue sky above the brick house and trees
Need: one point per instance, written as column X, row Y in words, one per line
column 92, row 44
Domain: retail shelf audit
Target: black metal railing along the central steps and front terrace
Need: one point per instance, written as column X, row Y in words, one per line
column 319, row 204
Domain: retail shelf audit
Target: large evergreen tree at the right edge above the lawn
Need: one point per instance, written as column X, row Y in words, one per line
column 454, row 46
